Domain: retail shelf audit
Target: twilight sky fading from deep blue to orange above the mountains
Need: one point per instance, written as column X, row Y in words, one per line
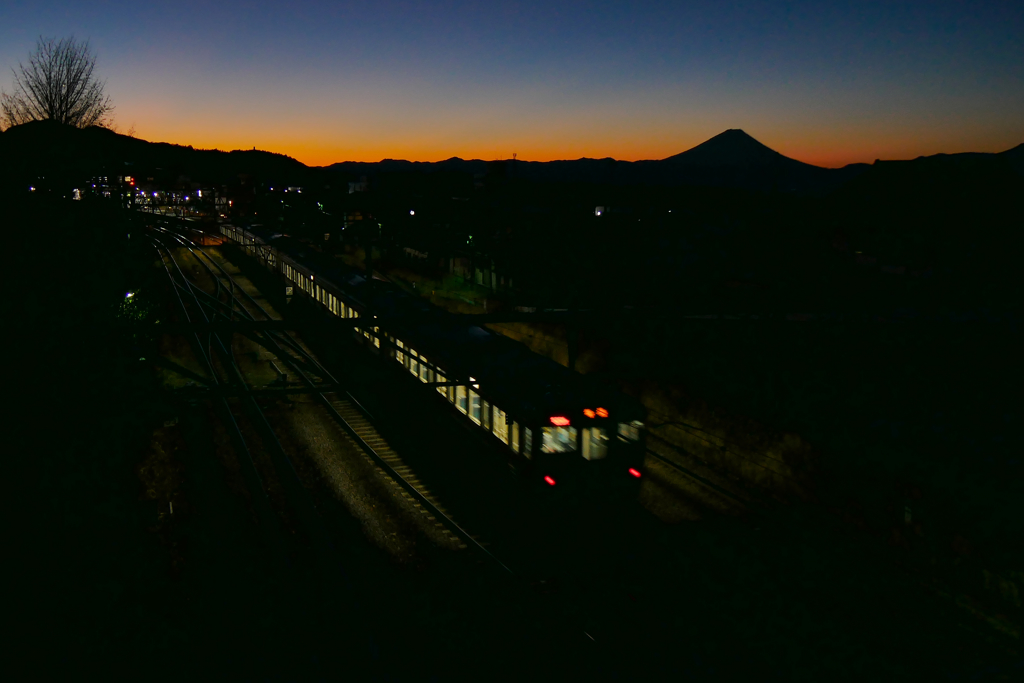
column 828, row 83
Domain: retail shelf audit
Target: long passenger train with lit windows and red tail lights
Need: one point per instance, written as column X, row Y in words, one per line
column 558, row 428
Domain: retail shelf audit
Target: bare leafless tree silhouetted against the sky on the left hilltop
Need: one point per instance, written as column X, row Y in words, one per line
column 59, row 83
